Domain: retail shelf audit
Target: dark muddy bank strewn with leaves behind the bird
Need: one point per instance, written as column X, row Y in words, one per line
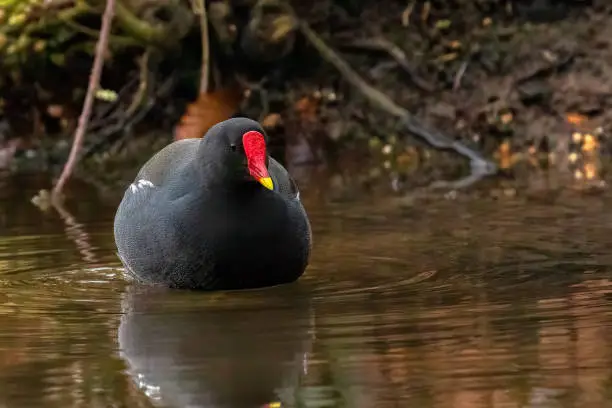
column 525, row 82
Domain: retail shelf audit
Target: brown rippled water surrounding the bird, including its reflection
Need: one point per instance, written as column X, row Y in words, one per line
column 465, row 303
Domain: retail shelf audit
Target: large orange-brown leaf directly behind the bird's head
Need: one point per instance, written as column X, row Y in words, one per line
column 208, row 110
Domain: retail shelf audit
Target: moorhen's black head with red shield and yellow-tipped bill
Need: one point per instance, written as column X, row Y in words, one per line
column 238, row 149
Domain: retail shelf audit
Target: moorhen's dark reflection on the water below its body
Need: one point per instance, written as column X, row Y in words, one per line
column 186, row 349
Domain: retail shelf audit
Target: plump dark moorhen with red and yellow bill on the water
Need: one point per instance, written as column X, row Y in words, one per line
column 214, row 213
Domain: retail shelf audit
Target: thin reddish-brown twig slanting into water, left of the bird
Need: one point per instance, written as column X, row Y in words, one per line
column 94, row 80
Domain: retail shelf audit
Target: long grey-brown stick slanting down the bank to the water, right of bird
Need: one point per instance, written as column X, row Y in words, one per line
column 480, row 167
